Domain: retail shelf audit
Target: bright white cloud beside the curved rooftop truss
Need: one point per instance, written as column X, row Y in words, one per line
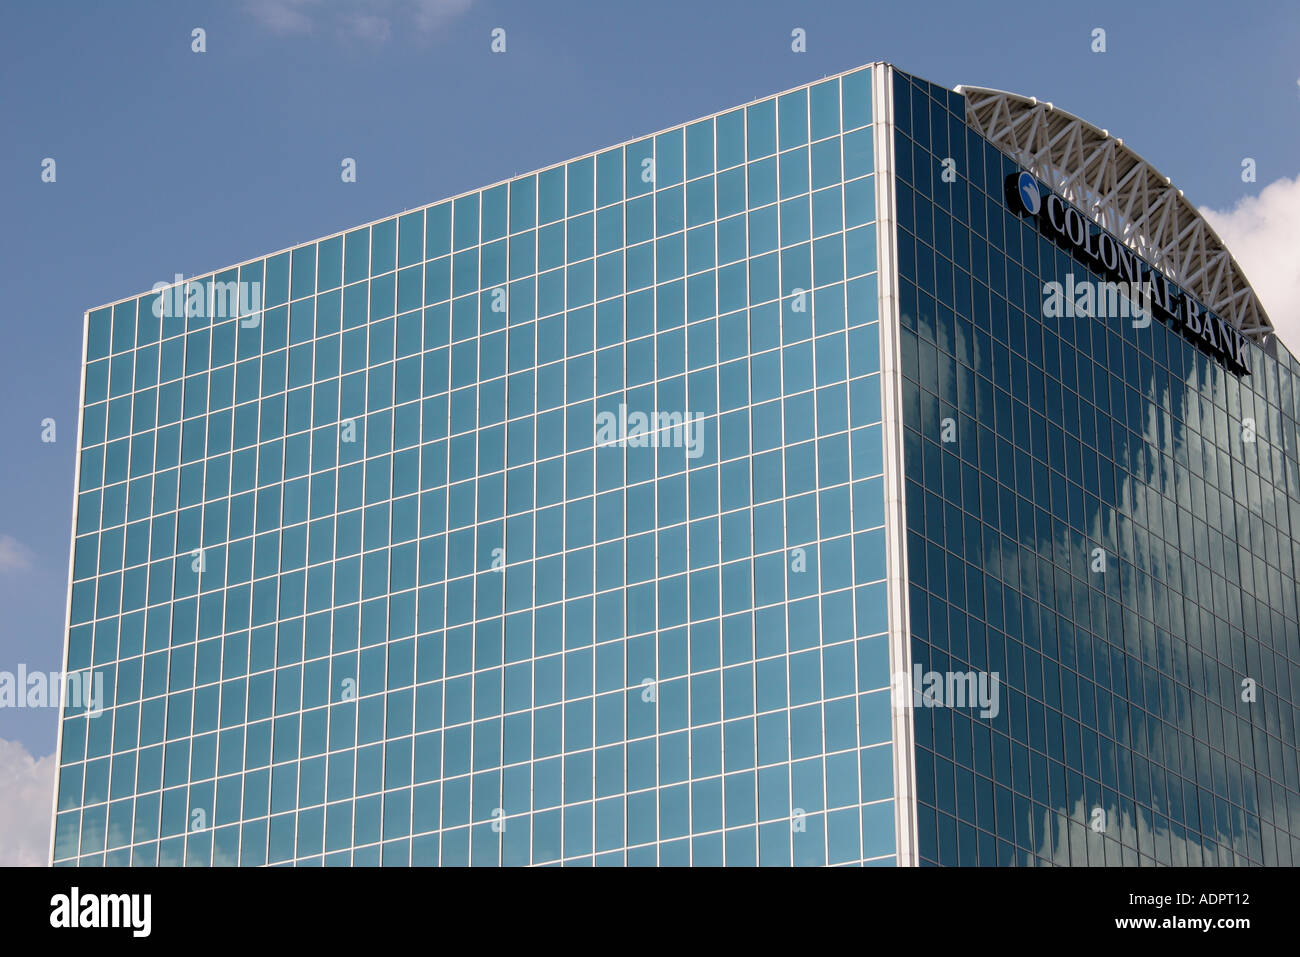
column 1263, row 233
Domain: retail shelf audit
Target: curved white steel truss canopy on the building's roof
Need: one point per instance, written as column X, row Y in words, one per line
column 1123, row 193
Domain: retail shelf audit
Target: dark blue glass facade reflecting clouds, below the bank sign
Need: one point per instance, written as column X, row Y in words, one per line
column 1111, row 529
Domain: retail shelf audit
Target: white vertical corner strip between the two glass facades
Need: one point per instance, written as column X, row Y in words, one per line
column 892, row 439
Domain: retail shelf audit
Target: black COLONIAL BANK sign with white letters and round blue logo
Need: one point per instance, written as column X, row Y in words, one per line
column 1098, row 249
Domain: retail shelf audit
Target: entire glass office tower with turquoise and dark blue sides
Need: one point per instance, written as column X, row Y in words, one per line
column 623, row 513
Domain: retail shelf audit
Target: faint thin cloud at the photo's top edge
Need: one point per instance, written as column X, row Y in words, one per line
column 366, row 20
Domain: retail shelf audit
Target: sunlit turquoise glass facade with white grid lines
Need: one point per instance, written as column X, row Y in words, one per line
column 369, row 586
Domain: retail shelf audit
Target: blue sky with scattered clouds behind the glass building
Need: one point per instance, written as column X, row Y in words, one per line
column 174, row 161
